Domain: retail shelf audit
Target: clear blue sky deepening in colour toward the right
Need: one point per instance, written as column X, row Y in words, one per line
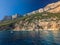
column 11, row 7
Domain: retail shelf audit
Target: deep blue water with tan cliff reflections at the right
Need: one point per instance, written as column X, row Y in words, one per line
column 30, row 37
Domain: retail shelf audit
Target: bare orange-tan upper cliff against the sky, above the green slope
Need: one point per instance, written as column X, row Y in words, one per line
column 53, row 8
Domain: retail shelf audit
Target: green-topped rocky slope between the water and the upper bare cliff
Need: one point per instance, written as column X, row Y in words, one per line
column 38, row 21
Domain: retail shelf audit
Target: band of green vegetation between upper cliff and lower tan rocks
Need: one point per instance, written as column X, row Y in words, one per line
column 31, row 18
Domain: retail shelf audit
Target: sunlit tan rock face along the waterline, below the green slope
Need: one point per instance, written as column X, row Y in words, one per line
column 40, row 25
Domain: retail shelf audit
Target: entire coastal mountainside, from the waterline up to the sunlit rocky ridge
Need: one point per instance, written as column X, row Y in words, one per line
column 47, row 18
